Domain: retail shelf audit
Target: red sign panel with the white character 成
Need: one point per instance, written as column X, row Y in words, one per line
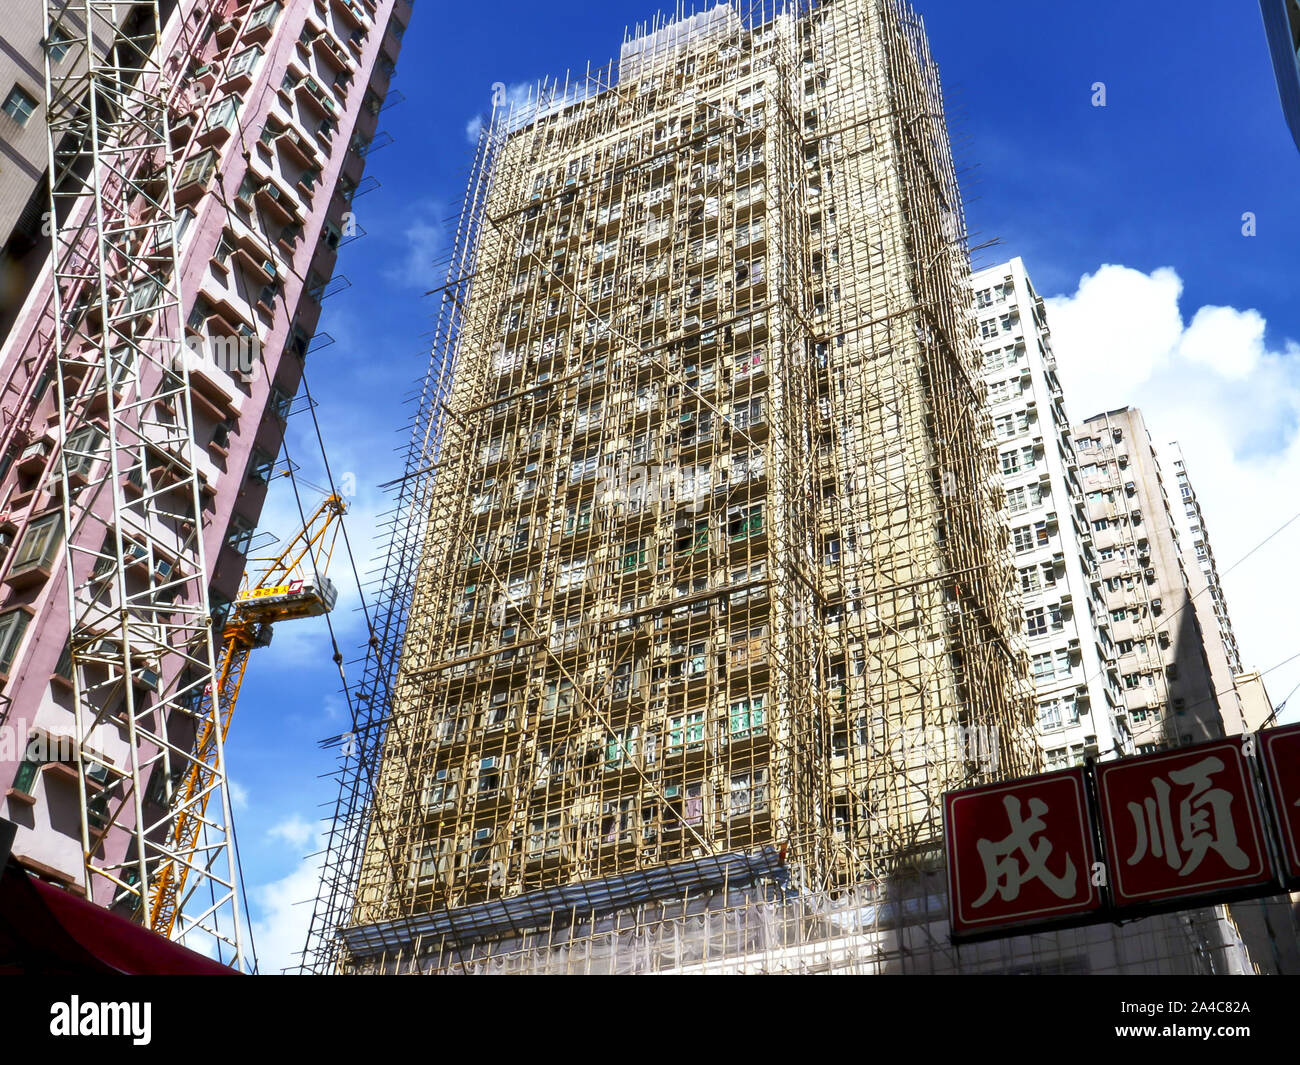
column 1020, row 854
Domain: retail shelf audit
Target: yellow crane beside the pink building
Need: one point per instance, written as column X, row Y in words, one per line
column 293, row 585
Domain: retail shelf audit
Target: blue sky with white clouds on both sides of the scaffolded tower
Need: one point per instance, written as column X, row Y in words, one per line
column 1129, row 215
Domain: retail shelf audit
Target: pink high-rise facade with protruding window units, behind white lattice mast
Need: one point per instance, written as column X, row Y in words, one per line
column 270, row 110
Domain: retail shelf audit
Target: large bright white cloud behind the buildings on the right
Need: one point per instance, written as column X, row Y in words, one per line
column 1234, row 406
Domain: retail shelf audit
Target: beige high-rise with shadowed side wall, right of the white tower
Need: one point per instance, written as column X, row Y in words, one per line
column 1169, row 689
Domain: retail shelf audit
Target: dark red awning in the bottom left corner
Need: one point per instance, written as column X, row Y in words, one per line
column 49, row 932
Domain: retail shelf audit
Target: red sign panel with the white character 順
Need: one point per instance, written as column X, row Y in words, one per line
column 1182, row 824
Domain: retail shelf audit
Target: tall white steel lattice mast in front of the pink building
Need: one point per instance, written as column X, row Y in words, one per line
column 136, row 572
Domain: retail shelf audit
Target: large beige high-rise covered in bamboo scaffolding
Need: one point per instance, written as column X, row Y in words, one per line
column 714, row 564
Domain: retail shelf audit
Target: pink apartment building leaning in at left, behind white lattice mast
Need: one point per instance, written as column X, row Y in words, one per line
column 275, row 106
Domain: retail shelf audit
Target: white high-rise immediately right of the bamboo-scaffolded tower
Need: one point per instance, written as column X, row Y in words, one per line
column 1081, row 707
